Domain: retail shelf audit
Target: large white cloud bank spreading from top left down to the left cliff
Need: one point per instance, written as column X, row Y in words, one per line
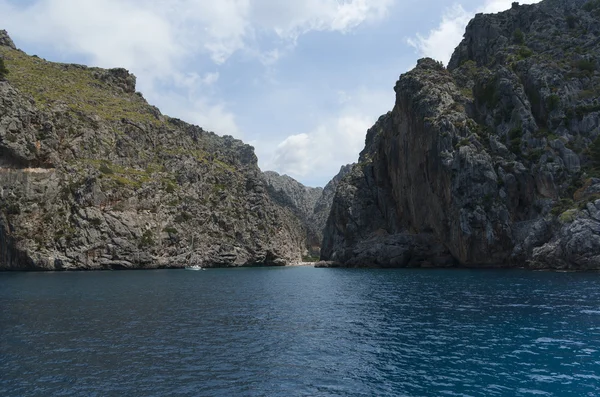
column 160, row 40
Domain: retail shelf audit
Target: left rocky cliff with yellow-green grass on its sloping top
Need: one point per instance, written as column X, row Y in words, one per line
column 93, row 177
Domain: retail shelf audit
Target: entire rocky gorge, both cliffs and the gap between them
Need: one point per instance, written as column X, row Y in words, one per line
column 490, row 161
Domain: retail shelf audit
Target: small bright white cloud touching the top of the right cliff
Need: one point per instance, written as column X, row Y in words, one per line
column 441, row 41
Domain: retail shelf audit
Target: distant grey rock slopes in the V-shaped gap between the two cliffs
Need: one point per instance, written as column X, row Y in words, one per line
column 310, row 205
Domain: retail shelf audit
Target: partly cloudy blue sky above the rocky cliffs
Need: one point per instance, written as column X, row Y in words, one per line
column 300, row 80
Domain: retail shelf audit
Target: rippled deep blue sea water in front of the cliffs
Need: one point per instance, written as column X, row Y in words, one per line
column 300, row 332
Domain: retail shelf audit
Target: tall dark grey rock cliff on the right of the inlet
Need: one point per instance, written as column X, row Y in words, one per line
column 490, row 162
